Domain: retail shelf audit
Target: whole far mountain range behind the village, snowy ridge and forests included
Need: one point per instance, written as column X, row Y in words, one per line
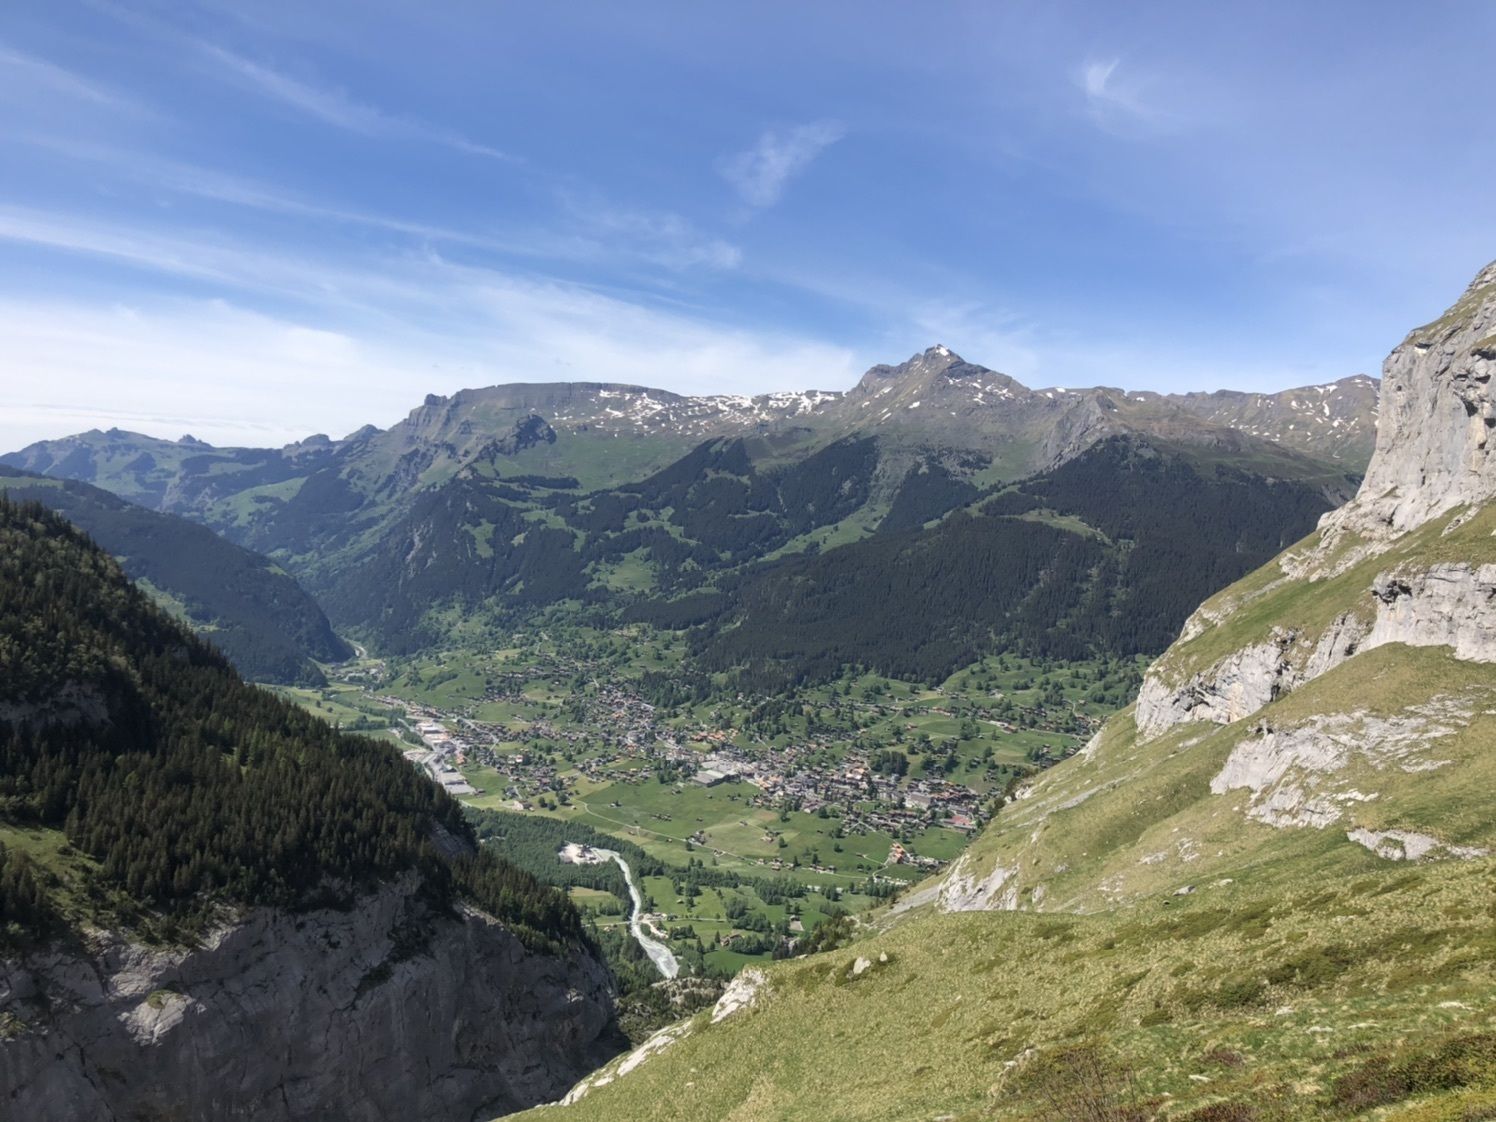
column 502, row 502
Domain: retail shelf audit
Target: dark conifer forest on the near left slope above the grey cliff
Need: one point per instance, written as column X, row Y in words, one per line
column 191, row 789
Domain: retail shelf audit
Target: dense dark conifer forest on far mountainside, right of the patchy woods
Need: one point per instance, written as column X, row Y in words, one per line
column 1105, row 556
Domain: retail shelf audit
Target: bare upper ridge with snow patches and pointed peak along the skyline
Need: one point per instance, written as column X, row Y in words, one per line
column 934, row 396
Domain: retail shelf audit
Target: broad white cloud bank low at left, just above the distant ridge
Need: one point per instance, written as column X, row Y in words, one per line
column 366, row 340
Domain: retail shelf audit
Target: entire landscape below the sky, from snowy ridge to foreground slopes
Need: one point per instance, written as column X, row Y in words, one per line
column 940, row 749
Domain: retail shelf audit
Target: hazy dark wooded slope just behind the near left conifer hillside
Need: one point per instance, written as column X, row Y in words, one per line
column 251, row 610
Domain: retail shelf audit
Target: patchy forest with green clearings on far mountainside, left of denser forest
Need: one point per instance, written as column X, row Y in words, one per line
column 475, row 541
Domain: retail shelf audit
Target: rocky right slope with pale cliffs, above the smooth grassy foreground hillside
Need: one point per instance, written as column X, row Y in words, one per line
column 1332, row 705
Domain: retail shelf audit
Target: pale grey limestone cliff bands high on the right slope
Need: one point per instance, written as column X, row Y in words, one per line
column 1435, row 454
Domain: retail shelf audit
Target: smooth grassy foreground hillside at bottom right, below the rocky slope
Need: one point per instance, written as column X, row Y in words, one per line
column 1329, row 1002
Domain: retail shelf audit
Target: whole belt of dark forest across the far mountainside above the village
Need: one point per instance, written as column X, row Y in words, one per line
column 1102, row 557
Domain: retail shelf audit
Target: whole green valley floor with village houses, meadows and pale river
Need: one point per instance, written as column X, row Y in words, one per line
column 761, row 818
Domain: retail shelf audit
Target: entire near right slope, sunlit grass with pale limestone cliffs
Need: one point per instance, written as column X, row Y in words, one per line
column 1263, row 892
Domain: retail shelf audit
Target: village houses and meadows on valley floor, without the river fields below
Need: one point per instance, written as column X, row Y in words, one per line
column 545, row 729
